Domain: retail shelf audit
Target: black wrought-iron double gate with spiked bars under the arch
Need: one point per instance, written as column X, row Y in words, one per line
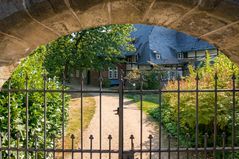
column 121, row 91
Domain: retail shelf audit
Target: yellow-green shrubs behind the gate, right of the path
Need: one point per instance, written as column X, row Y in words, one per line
column 224, row 69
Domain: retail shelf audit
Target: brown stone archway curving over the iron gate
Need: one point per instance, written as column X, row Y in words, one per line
column 26, row 24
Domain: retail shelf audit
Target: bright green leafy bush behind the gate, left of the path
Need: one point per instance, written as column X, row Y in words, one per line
column 33, row 67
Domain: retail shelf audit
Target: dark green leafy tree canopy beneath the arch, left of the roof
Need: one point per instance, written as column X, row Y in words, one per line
column 92, row 49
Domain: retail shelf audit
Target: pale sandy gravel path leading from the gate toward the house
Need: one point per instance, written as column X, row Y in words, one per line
column 110, row 125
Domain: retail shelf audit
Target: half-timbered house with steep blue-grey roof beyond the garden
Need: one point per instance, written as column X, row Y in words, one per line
column 171, row 50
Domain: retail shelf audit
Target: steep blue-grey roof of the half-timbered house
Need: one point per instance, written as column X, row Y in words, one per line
column 167, row 42
